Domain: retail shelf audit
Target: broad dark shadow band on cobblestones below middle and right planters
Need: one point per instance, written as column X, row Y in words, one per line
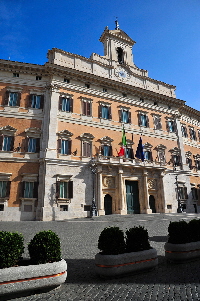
column 82, row 271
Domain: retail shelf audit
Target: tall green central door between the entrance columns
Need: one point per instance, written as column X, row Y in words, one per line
column 132, row 197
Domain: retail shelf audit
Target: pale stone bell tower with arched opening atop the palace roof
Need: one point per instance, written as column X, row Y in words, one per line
column 117, row 46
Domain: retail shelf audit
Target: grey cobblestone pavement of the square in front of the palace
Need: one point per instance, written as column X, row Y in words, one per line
column 79, row 237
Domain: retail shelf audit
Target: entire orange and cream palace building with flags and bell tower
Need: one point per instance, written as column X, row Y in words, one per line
column 82, row 135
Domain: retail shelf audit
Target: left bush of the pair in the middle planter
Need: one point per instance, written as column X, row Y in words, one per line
column 111, row 241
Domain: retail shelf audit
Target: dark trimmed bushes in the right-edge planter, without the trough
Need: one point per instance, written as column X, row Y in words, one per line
column 182, row 232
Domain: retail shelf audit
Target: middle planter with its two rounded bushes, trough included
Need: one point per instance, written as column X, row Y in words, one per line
column 120, row 255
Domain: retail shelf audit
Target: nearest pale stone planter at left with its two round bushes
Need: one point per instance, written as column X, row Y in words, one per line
column 45, row 267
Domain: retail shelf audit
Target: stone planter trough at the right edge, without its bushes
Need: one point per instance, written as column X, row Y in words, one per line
column 181, row 252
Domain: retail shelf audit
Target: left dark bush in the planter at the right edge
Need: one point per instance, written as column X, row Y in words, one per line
column 178, row 232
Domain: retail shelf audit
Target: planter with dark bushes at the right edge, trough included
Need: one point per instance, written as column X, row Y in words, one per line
column 183, row 241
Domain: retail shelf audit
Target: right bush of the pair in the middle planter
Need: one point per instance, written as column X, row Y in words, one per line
column 137, row 239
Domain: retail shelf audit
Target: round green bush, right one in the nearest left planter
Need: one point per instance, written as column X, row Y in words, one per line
column 45, row 247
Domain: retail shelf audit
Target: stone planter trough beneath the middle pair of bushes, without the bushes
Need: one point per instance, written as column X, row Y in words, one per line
column 114, row 265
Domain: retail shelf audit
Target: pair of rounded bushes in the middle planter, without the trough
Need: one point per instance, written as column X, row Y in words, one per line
column 112, row 240
